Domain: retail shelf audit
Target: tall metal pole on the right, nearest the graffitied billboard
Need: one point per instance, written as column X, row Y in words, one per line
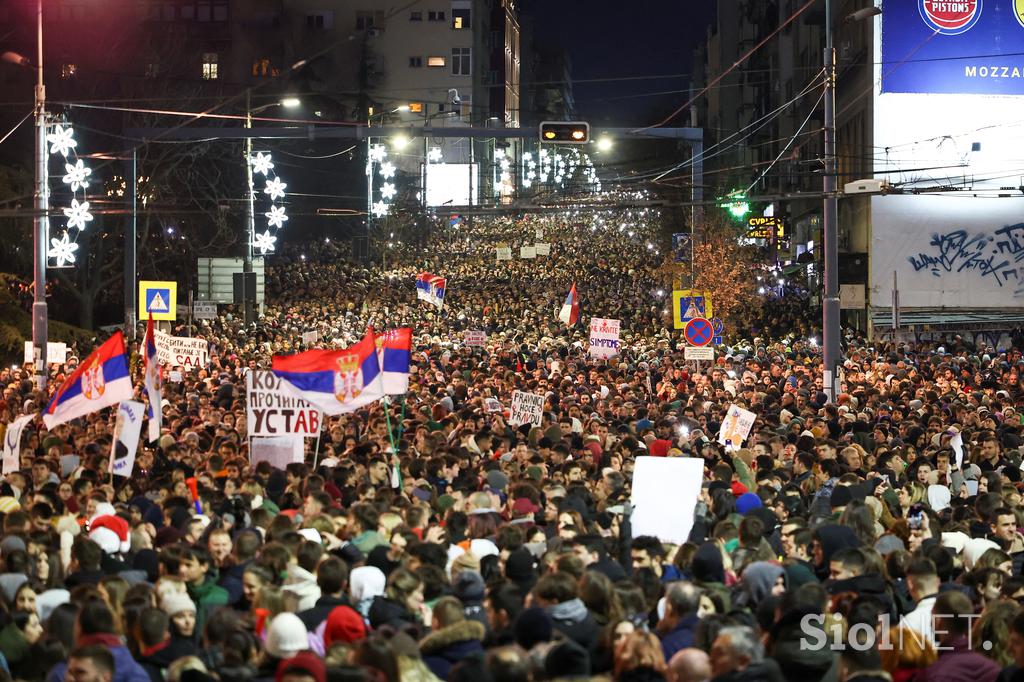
column 830, row 302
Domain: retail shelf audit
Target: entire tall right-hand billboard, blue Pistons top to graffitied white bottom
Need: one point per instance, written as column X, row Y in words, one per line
column 951, row 144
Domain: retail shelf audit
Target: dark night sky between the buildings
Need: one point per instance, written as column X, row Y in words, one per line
column 608, row 39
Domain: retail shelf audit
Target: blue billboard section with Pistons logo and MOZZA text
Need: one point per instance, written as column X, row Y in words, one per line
column 953, row 48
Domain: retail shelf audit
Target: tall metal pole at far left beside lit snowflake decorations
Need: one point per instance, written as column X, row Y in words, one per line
column 40, row 228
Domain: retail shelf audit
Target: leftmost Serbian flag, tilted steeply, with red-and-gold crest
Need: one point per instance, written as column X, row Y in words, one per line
column 101, row 381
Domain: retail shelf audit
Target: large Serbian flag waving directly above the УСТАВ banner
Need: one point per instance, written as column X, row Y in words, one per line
column 335, row 381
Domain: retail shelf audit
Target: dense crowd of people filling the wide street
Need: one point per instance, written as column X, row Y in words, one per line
column 871, row 538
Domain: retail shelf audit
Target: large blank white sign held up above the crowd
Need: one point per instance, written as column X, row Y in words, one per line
column 665, row 495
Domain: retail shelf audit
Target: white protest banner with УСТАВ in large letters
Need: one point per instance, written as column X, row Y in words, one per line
column 274, row 411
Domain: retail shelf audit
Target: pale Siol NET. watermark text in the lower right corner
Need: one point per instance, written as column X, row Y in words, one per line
column 821, row 632
